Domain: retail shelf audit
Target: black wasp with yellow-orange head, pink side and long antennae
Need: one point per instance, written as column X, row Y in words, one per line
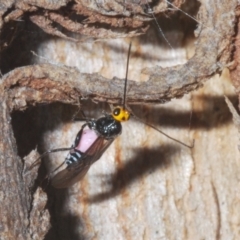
column 93, row 139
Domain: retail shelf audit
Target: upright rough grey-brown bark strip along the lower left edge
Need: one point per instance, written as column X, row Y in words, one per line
column 15, row 197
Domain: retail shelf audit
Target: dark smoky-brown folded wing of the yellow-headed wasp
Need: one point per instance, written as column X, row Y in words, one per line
column 77, row 170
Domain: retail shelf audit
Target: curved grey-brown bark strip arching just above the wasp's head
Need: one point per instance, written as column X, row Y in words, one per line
column 213, row 51
